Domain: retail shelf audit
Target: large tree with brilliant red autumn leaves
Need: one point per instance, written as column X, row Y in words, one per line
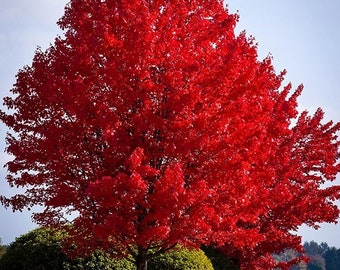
column 153, row 125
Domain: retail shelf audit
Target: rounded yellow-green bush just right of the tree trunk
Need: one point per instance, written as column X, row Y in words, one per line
column 179, row 259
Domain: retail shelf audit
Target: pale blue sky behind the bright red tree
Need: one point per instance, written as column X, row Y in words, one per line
column 302, row 36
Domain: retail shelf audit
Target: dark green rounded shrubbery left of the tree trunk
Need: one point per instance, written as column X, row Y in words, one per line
column 40, row 249
